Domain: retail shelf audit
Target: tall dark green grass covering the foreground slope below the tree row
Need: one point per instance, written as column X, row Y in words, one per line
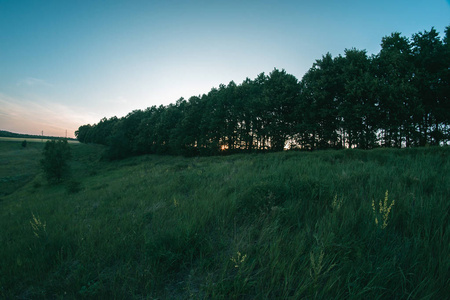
column 274, row 226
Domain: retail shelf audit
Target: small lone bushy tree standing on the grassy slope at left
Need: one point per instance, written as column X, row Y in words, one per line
column 55, row 162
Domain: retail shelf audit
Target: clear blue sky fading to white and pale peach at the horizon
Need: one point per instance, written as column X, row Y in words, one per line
column 64, row 64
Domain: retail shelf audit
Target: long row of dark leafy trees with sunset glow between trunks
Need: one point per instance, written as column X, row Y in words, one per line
column 396, row 98
